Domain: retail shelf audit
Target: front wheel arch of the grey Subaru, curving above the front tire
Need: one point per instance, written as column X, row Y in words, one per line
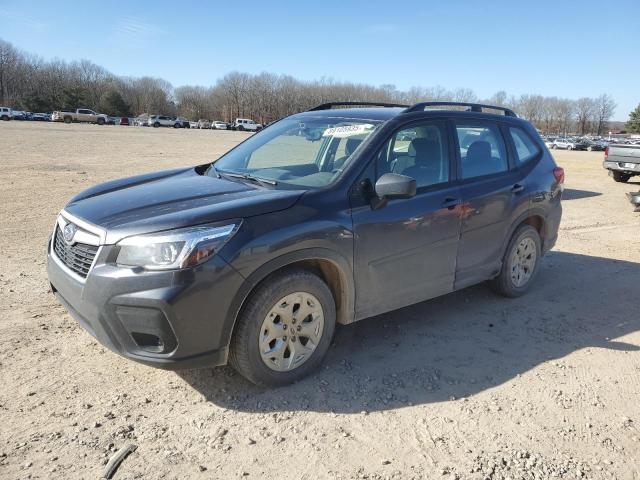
column 331, row 267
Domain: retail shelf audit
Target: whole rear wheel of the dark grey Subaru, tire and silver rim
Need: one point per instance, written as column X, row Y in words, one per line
column 520, row 263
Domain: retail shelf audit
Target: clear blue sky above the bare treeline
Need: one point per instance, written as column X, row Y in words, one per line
column 563, row 48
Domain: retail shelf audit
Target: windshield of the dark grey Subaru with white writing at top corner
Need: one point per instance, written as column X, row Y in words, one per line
column 309, row 152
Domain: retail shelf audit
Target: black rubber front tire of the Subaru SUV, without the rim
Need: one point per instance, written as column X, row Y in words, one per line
column 244, row 352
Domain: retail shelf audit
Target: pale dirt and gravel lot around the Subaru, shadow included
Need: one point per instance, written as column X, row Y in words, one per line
column 469, row 385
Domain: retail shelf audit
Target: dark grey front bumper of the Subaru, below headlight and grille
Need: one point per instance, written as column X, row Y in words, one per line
column 171, row 319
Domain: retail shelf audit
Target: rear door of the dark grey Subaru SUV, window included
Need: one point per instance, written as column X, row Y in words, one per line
column 491, row 194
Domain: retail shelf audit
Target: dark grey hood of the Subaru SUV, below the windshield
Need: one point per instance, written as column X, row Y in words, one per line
column 172, row 199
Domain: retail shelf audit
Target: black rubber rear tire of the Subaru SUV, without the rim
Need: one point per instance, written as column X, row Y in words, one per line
column 503, row 283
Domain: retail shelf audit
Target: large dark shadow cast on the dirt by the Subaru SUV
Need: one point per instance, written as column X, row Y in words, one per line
column 454, row 346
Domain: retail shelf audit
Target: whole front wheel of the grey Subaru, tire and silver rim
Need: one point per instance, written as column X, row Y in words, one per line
column 284, row 330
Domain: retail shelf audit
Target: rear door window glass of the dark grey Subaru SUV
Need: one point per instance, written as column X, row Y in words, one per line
column 482, row 149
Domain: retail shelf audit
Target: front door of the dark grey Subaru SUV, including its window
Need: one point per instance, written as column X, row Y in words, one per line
column 405, row 252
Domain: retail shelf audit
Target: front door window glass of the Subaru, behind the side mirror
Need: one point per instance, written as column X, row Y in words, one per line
column 420, row 151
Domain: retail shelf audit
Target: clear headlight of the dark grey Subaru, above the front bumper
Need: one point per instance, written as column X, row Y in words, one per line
column 173, row 249
